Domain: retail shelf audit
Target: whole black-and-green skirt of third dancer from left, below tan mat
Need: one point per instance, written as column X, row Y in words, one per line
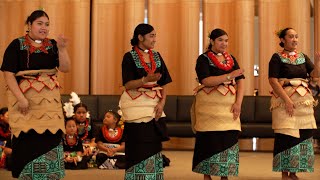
column 216, row 153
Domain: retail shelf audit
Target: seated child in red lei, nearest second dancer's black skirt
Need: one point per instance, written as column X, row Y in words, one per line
column 110, row 143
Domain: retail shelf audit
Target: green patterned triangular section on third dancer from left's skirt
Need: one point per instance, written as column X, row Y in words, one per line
column 225, row 163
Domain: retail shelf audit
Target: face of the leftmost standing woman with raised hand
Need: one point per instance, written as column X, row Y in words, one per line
column 39, row 29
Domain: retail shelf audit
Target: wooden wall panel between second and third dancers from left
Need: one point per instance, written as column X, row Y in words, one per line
column 176, row 23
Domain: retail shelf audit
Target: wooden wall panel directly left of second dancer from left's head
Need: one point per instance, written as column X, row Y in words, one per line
column 113, row 23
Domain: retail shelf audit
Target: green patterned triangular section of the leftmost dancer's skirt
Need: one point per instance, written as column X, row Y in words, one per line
column 46, row 167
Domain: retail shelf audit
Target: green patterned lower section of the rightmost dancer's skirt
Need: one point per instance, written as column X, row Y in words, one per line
column 299, row 158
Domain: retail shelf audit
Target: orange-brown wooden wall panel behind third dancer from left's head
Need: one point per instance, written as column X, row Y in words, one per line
column 236, row 17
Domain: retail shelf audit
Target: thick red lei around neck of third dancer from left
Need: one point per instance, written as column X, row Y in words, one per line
column 221, row 65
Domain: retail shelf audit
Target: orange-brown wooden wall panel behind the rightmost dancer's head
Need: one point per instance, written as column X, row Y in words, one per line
column 271, row 19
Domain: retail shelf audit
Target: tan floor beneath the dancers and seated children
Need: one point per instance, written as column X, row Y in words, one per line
column 253, row 166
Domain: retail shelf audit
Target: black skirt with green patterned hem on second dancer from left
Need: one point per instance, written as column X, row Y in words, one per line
column 143, row 151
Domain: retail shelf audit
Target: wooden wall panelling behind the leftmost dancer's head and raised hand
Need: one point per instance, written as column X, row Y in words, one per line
column 72, row 19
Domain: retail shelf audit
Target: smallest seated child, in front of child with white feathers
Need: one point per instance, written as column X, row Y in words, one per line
column 73, row 149
